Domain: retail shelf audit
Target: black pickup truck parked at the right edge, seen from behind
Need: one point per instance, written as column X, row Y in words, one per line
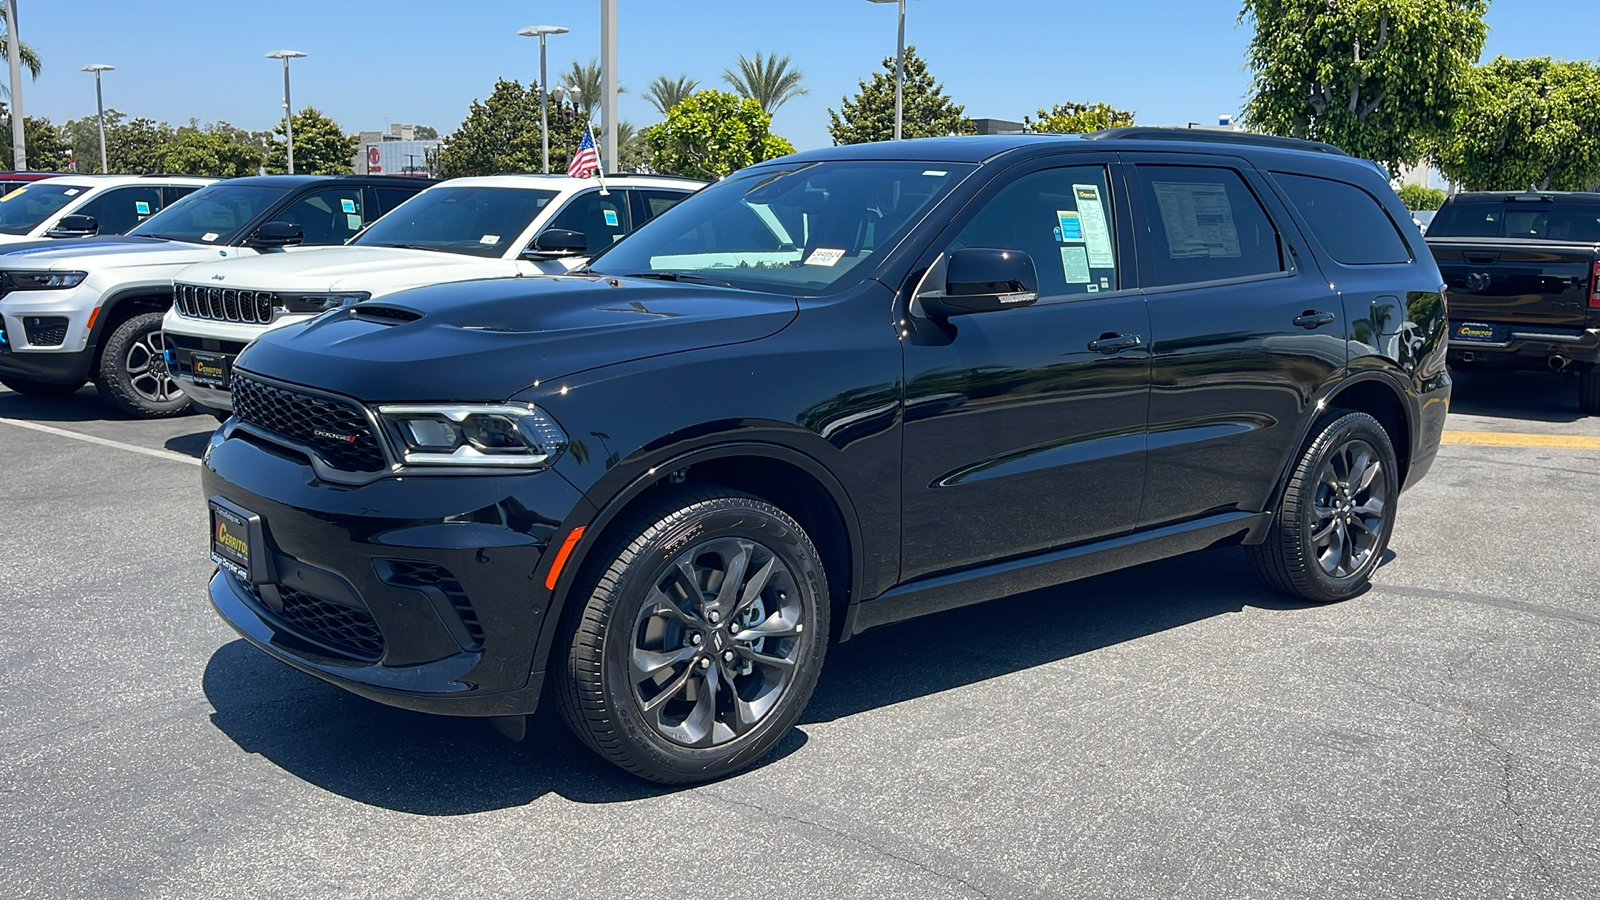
column 1524, row 276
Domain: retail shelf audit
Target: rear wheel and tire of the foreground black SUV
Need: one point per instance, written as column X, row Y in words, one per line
column 1321, row 547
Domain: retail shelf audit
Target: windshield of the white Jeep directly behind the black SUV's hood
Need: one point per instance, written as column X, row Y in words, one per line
column 478, row 222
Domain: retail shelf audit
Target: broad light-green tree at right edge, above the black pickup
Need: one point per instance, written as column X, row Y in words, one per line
column 1527, row 123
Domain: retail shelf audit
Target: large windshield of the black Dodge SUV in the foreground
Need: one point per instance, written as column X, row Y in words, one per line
column 799, row 230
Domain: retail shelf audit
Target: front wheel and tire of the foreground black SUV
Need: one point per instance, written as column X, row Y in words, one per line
column 638, row 673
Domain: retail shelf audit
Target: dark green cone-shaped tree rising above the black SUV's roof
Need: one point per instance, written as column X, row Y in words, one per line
column 927, row 111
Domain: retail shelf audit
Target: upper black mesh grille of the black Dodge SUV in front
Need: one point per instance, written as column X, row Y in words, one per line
column 337, row 430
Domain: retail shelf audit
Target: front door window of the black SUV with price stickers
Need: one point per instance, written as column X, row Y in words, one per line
column 1062, row 219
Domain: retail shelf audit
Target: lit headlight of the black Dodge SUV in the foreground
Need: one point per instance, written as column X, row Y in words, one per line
column 474, row 435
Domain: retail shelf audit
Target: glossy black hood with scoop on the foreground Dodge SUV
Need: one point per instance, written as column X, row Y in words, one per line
column 489, row 340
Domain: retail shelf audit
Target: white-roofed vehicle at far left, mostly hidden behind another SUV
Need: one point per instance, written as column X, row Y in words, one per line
column 82, row 206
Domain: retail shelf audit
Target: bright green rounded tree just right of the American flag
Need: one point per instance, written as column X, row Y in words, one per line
column 711, row 135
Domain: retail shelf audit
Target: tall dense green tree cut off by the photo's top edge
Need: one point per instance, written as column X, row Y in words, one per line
column 1380, row 79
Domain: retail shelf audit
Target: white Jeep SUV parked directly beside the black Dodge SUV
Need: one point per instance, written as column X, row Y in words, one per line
column 460, row 230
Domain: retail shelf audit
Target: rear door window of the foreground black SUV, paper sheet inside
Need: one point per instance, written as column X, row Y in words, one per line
column 1204, row 225
